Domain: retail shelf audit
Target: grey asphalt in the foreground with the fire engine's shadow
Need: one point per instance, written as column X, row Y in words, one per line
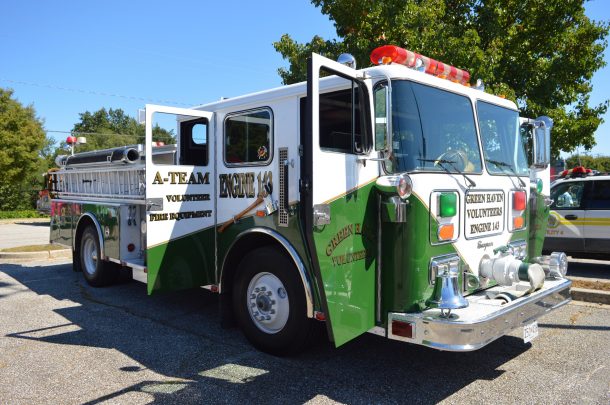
column 62, row 341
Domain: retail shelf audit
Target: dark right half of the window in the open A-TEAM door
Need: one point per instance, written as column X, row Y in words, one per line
column 194, row 142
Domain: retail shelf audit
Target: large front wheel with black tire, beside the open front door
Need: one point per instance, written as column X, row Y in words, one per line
column 269, row 303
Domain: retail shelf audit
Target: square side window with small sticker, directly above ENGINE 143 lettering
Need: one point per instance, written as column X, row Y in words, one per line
column 247, row 138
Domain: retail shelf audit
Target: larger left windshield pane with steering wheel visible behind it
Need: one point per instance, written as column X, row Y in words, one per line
column 433, row 130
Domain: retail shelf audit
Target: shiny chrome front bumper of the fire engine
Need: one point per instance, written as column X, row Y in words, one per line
column 483, row 321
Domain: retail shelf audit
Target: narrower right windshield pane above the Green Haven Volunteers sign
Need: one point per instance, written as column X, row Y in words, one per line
column 502, row 143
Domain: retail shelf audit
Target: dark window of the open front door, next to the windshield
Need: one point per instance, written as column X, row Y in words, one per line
column 342, row 121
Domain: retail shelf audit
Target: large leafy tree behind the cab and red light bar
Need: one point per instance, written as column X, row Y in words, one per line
column 539, row 53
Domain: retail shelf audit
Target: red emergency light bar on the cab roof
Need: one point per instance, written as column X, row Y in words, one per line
column 384, row 55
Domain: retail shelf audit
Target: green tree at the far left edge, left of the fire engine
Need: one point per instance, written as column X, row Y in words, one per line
column 22, row 138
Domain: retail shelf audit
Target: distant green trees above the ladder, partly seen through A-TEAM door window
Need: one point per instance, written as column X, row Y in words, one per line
column 112, row 128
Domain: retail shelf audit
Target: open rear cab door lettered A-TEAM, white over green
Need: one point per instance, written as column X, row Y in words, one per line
column 180, row 216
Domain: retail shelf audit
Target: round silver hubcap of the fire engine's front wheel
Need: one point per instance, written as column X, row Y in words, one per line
column 268, row 302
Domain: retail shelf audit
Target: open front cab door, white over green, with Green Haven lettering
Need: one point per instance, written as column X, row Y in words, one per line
column 337, row 185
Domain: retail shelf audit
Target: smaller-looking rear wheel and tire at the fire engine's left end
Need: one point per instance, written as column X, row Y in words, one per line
column 97, row 272
